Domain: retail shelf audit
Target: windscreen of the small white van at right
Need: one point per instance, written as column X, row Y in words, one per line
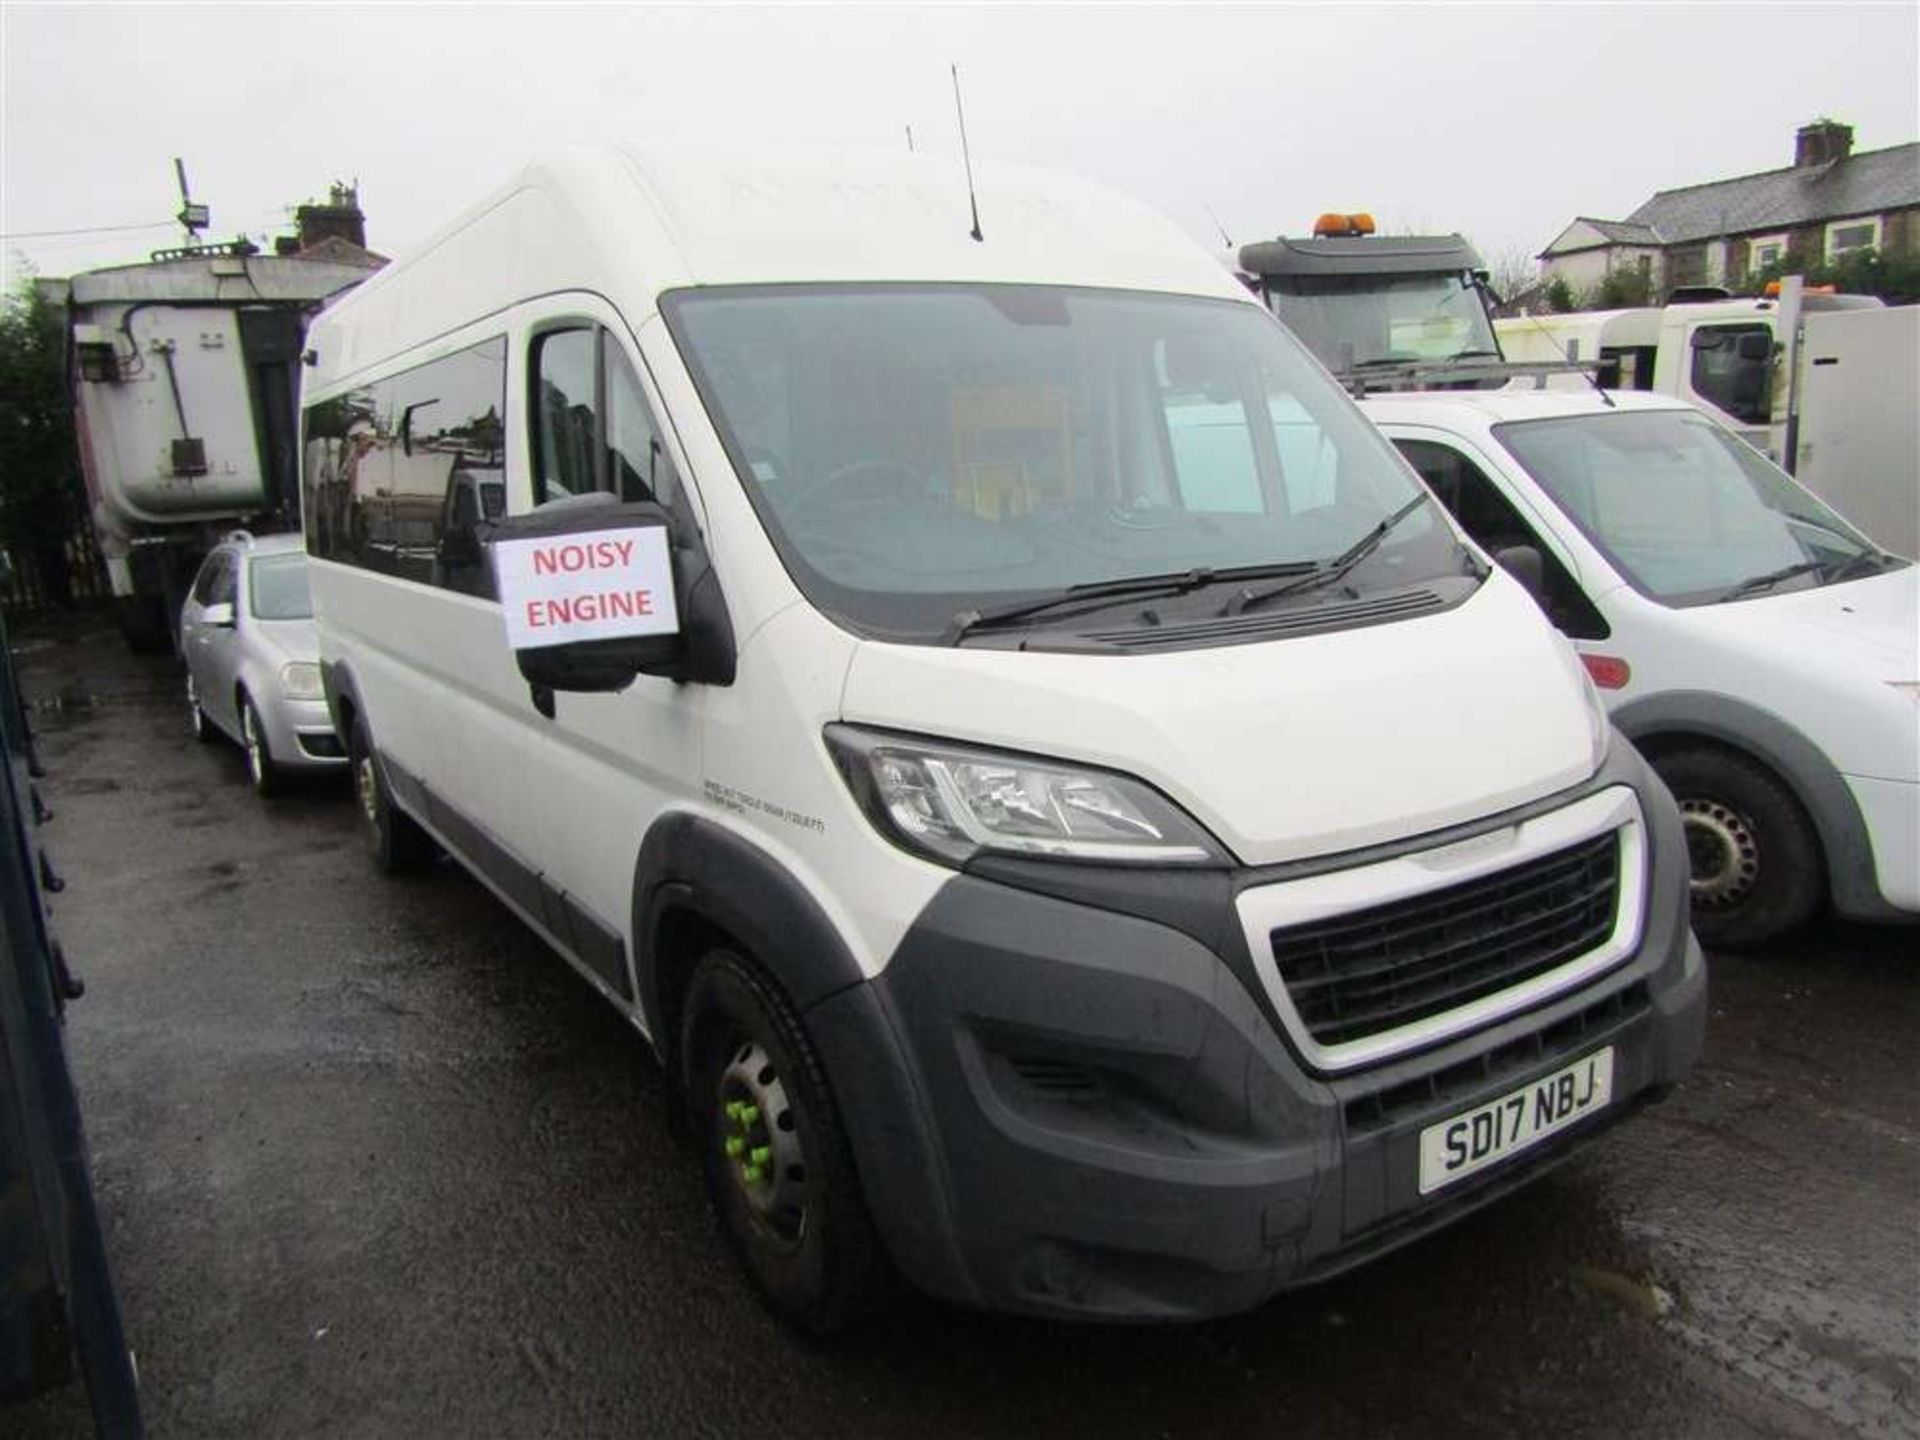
column 1685, row 510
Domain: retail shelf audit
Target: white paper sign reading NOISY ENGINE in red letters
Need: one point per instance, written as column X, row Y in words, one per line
column 598, row 585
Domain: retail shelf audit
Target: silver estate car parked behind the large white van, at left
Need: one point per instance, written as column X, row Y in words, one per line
column 252, row 660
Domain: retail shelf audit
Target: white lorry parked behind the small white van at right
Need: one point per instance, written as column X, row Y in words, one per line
column 1823, row 385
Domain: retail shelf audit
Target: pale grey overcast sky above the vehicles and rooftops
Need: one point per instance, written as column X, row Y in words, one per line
column 1502, row 122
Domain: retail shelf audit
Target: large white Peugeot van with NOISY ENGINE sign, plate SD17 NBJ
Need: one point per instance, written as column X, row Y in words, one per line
column 1078, row 825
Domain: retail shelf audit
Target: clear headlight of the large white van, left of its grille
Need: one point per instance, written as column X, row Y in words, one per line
column 949, row 804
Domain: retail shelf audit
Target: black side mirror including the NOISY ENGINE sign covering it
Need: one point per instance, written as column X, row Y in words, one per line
column 598, row 592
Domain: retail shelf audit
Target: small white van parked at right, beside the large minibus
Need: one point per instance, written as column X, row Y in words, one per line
column 1758, row 650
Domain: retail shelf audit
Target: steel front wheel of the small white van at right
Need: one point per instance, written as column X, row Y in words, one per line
column 1756, row 859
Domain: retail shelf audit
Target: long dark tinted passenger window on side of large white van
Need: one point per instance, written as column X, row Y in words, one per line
column 402, row 475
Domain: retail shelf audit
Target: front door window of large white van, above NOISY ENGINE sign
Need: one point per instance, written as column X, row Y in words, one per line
column 592, row 425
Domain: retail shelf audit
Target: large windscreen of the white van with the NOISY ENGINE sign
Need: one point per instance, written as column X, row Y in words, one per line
column 917, row 452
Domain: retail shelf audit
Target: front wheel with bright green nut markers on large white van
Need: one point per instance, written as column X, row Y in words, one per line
column 779, row 1170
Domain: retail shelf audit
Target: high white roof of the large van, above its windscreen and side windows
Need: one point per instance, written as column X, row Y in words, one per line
column 635, row 222
